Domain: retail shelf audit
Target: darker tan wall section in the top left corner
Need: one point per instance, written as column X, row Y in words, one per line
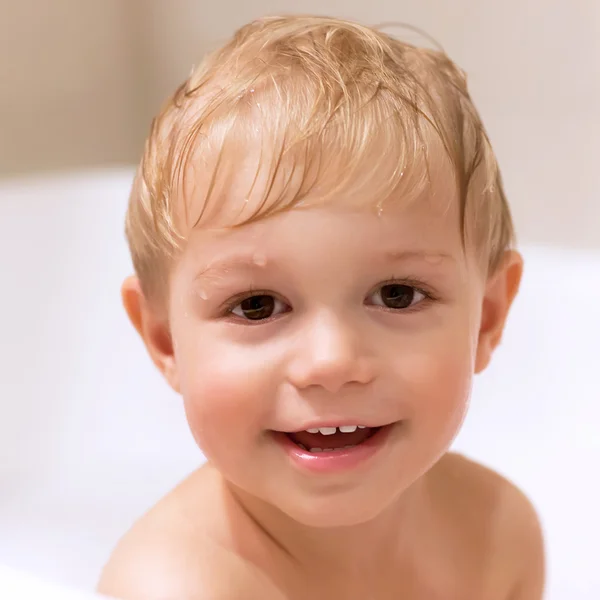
column 68, row 85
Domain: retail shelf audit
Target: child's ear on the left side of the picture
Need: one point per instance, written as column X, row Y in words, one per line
column 153, row 327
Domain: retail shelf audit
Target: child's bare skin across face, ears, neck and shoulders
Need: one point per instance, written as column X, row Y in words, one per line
column 412, row 522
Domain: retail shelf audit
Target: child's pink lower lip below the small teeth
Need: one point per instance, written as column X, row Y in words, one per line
column 338, row 461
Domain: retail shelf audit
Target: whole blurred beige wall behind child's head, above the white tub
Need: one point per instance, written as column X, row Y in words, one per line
column 80, row 80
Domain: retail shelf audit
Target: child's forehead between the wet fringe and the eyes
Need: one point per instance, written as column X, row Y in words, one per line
column 341, row 233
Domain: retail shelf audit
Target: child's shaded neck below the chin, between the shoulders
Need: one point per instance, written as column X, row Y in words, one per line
column 384, row 541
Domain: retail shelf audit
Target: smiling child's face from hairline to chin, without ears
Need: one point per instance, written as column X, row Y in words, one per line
column 330, row 315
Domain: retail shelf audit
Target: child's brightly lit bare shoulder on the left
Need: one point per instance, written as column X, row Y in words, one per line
column 167, row 555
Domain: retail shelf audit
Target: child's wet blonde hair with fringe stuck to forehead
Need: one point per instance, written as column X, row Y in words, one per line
column 320, row 98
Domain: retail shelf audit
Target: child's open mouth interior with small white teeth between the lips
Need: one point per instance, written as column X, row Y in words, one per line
column 333, row 439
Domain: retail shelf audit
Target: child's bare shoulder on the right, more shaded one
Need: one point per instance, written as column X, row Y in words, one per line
column 503, row 522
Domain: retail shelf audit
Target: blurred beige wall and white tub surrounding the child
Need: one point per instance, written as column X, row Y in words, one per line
column 90, row 436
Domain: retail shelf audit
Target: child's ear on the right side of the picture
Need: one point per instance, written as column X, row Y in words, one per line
column 500, row 291
